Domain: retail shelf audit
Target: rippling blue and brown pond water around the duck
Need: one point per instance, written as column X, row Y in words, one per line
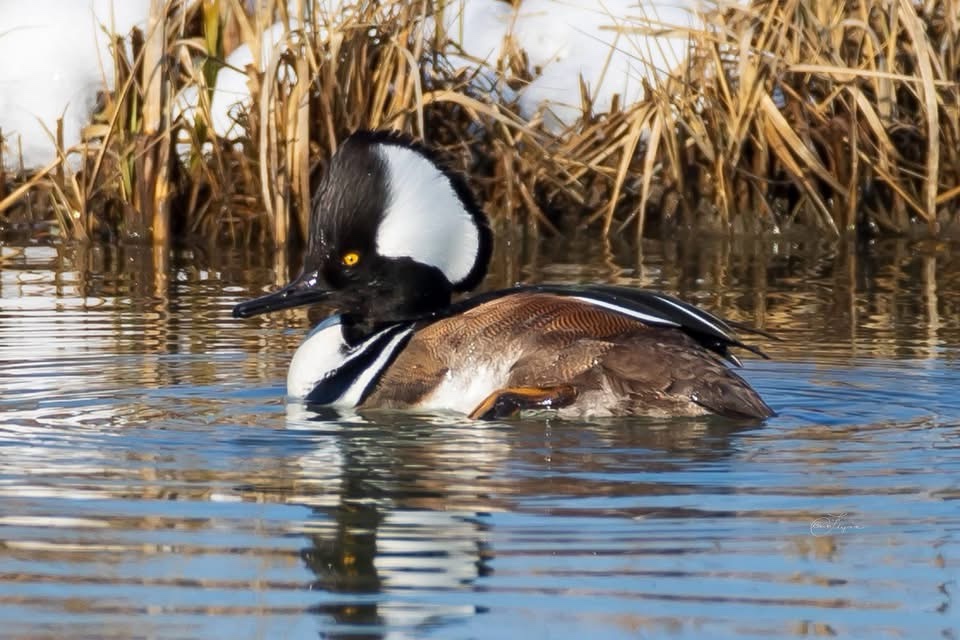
column 154, row 485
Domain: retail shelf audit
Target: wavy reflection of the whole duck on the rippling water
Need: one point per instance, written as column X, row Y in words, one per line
column 408, row 538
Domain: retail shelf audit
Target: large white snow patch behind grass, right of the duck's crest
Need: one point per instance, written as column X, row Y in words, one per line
column 602, row 41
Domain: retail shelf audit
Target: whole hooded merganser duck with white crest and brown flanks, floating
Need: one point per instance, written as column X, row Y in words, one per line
column 396, row 240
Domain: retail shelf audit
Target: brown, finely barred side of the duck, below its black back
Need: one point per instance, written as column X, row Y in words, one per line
column 616, row 364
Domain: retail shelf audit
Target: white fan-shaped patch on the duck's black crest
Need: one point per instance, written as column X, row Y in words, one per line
column 425, row 219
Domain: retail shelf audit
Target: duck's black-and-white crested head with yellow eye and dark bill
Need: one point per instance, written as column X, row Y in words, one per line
column 392, row 236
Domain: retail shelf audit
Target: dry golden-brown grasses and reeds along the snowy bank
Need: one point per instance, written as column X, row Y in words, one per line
column 836, row 117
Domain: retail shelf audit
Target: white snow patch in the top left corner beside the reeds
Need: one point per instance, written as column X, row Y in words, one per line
column 54, row 59
